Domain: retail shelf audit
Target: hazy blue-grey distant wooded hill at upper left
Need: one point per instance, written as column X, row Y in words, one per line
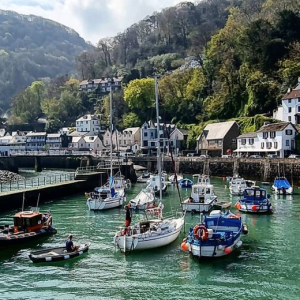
column 31, row 48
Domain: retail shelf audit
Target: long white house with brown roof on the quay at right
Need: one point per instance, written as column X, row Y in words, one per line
column 276, row 138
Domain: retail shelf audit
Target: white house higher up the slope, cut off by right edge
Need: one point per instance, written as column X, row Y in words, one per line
column 289, row 110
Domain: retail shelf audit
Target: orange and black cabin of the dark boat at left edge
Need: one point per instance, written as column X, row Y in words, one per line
column 28, row 221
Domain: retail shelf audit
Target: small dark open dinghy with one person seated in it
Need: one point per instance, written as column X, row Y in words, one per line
column 56, row 254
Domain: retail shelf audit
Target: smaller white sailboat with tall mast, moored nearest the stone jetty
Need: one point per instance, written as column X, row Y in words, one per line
column 107, row 196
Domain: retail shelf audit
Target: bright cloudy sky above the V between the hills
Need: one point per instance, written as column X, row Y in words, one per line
column 92, row 19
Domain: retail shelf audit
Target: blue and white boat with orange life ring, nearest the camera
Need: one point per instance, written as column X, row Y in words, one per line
column 217, row 236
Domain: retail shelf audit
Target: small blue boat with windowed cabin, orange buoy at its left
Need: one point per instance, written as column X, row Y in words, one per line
column 254, row 200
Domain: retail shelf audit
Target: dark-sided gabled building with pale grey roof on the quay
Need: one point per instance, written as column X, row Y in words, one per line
column 218, row 138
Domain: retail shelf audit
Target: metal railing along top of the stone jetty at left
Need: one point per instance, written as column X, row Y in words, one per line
column 35, row 182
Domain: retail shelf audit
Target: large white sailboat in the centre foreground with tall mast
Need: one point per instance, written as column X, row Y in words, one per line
column 154, row 231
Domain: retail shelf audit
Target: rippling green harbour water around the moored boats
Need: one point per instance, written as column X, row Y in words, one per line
column 266, row 267
